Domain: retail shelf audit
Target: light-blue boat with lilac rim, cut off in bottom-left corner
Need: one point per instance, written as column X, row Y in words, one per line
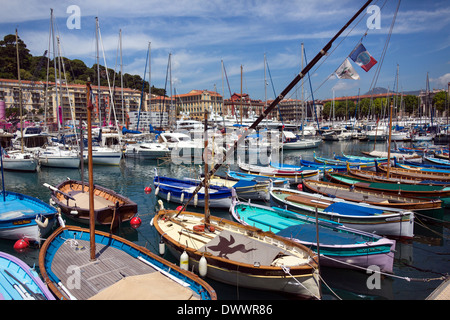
column 20, row 282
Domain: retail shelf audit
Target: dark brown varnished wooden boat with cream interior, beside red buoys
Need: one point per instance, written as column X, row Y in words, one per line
column 110, row 207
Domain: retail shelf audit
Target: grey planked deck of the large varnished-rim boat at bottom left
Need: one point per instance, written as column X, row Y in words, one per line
column 110, row 266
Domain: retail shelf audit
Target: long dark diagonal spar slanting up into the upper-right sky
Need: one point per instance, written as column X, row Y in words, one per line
column 275, row 102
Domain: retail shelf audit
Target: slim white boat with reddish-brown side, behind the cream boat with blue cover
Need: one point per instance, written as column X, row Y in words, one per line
column 291, row 175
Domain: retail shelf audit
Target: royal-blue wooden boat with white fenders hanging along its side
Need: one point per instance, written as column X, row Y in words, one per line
column 179, row 191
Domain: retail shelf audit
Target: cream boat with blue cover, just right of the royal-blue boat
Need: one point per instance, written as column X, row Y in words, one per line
column 245, row 189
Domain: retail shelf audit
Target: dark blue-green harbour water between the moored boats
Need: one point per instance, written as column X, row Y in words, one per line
column 419, row 267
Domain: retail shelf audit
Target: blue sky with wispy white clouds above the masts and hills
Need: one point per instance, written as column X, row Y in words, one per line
column 201, row 34
